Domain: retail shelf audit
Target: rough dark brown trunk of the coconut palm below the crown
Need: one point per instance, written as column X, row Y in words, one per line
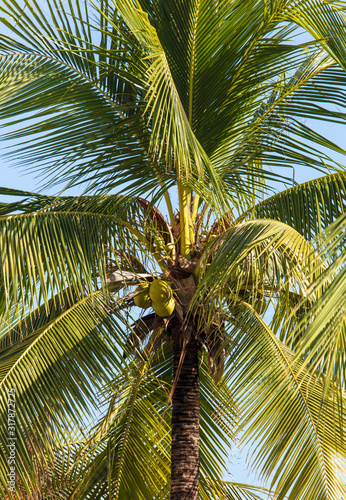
column 185, row 424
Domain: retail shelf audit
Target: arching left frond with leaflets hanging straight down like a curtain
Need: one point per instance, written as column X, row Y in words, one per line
column 71, row 236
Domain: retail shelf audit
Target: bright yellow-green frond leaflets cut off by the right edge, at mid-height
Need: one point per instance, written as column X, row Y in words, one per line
column 321, row 329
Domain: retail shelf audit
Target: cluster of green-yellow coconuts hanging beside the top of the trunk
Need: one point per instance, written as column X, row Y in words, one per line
column 158, row 295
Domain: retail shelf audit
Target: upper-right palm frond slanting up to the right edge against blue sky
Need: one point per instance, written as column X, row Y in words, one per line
column 275, row 134
